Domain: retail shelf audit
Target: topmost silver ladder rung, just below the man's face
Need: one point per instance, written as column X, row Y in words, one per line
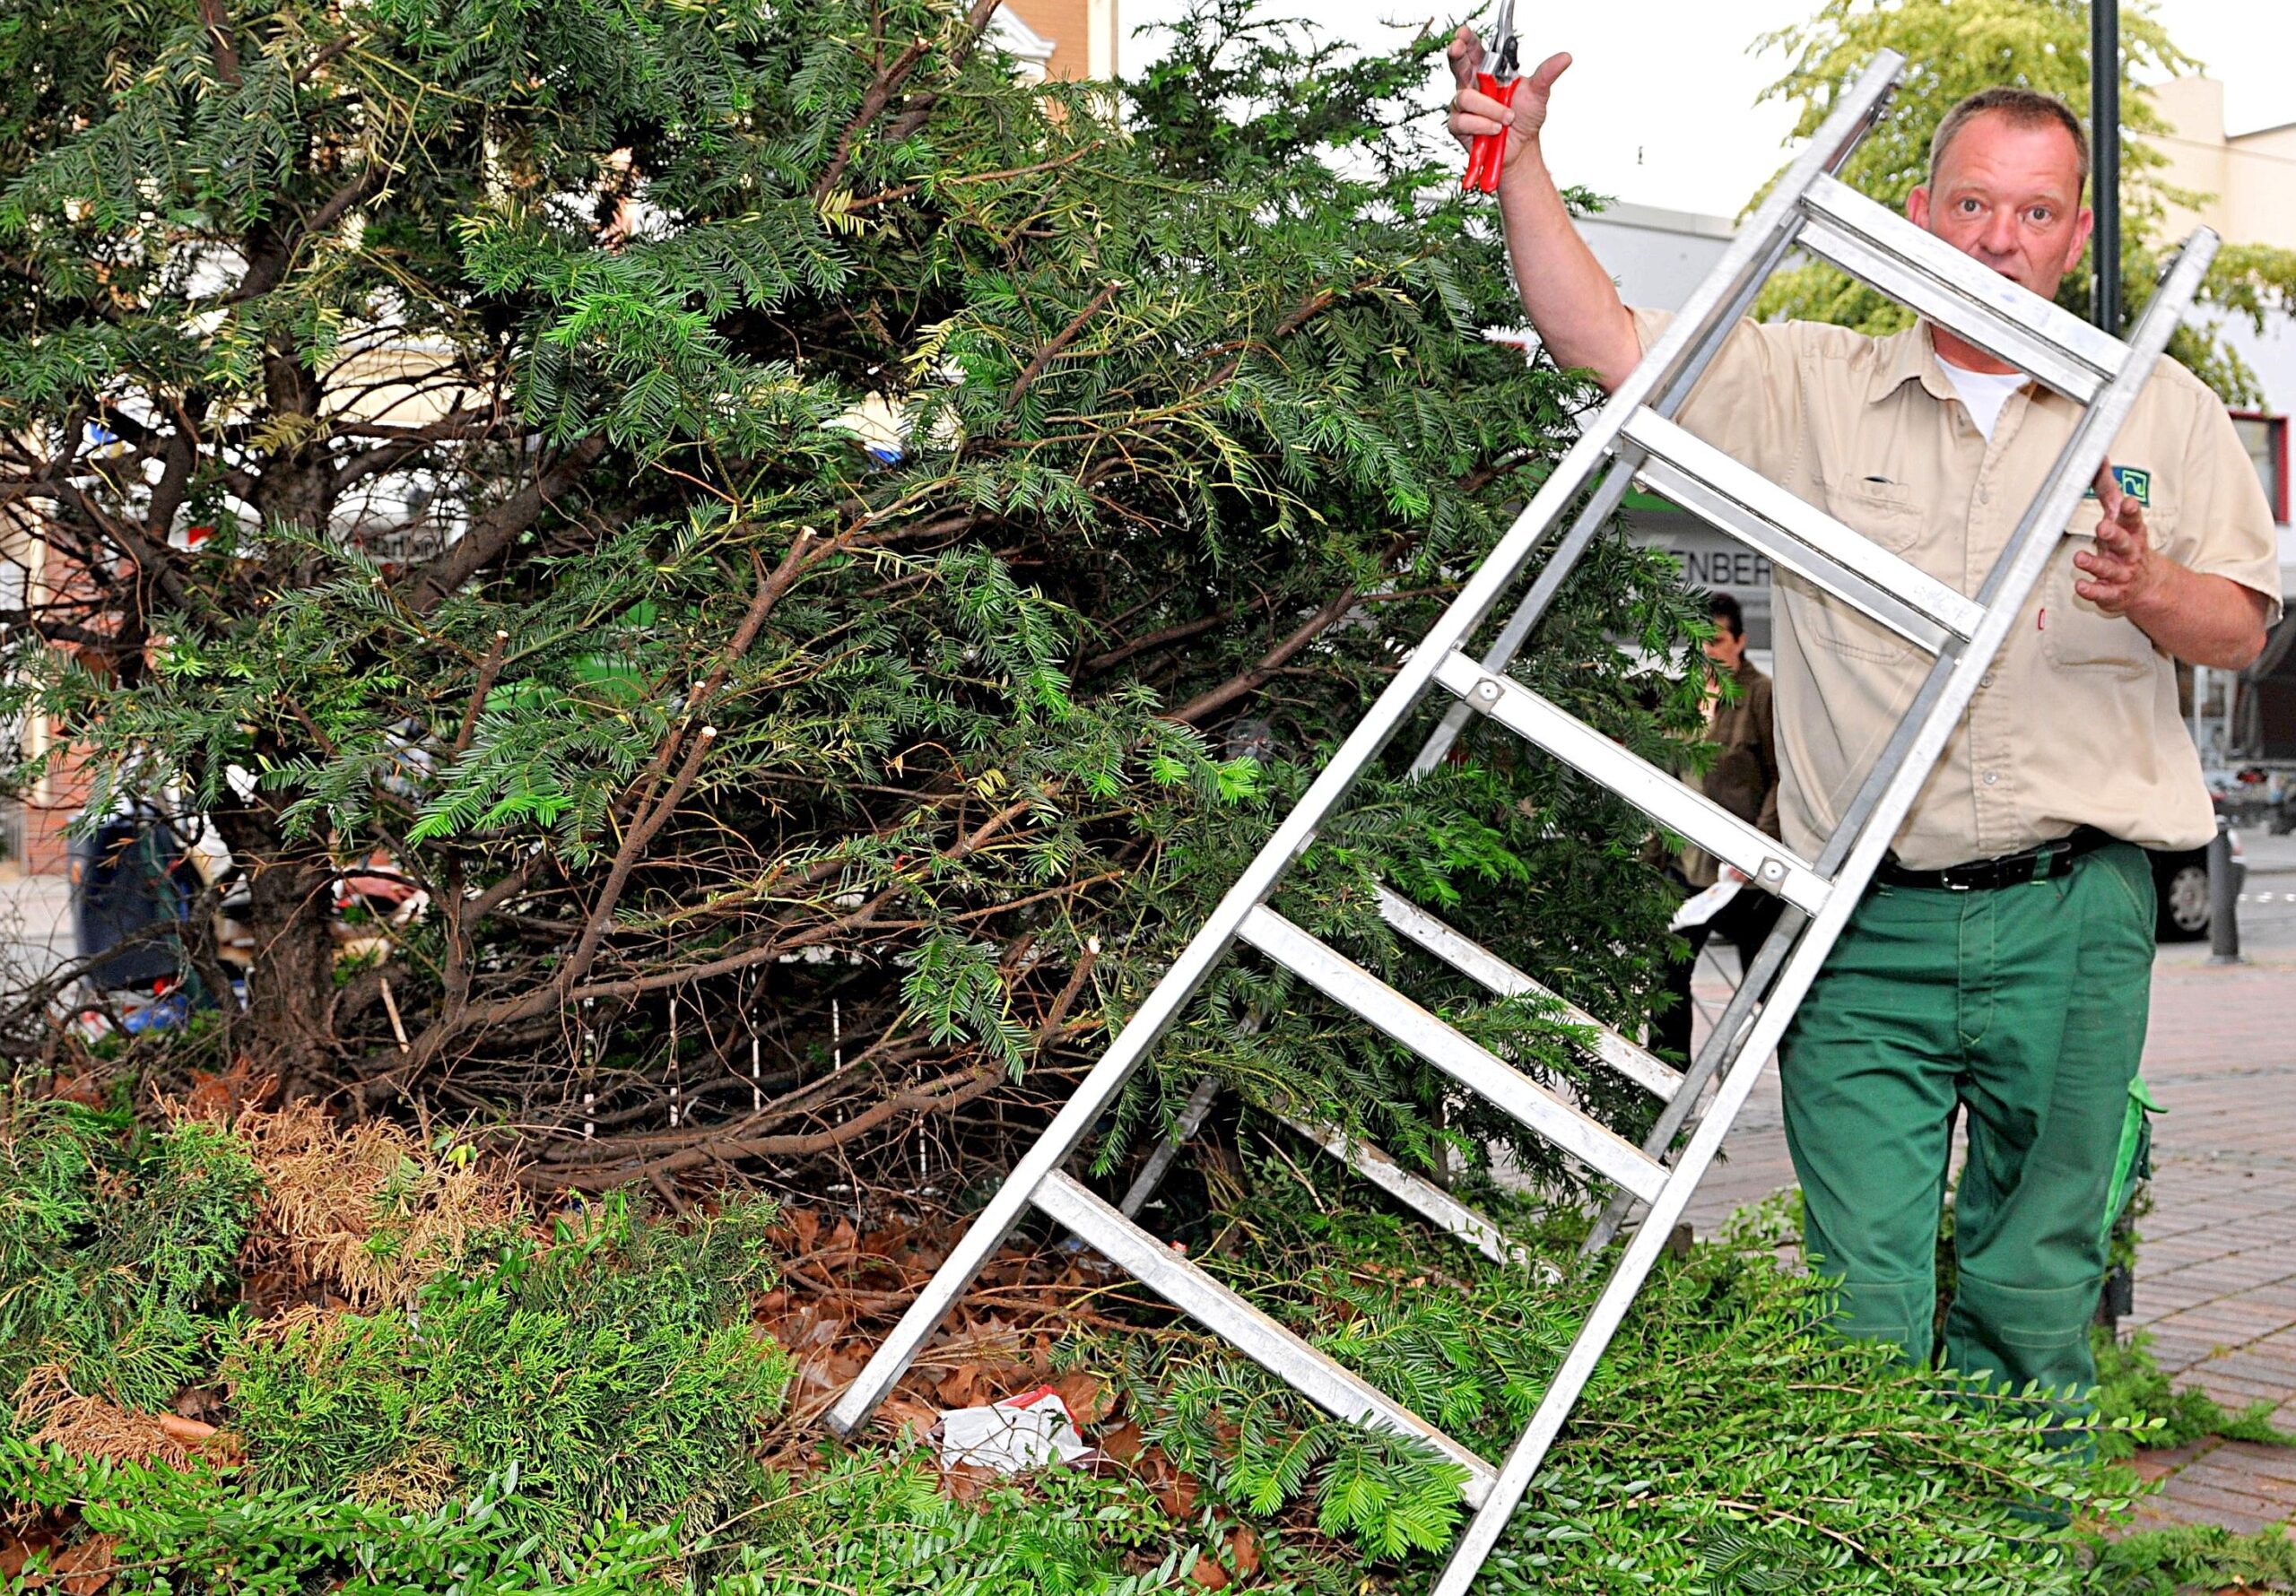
column 1957, row 293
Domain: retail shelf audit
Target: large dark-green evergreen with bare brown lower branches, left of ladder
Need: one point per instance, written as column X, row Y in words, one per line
column 816, row 557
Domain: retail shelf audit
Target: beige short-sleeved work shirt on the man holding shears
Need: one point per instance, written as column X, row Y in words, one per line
column 2077, row 725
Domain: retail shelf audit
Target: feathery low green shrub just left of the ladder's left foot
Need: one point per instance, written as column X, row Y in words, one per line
column 616, row 1370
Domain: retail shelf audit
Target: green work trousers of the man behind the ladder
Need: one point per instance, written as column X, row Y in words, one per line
column 2026, row 1009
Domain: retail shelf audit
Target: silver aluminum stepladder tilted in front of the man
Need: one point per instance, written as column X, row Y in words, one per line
column 1631, row 440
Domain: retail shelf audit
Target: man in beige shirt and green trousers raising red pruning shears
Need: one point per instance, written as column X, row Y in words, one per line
column 2001, row 963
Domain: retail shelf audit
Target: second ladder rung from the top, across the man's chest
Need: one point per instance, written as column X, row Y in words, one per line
column 1799, row 536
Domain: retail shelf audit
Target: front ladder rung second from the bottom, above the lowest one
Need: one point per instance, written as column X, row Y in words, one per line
column 1473, row 1067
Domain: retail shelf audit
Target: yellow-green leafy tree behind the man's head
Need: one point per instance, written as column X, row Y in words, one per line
column 1960, row 47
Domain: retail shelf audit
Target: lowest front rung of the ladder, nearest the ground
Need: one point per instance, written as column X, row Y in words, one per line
column 1243, row 1326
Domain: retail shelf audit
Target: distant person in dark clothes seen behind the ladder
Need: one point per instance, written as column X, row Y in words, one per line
column 1742, row 780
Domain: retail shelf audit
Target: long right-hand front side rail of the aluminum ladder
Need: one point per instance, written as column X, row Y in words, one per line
column 2008, row 587
